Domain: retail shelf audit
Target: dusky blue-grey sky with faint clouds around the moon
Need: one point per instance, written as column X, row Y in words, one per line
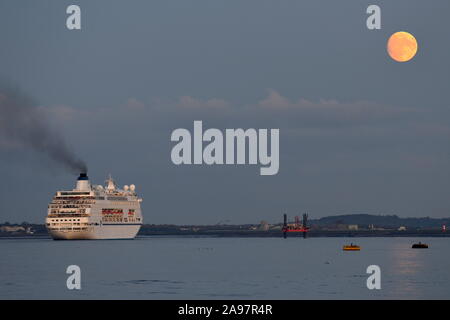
column 358, row 131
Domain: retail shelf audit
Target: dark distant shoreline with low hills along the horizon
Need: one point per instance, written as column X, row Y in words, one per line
column 347, row 225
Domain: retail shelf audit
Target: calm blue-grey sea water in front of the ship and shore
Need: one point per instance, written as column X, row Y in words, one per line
column 224, row 268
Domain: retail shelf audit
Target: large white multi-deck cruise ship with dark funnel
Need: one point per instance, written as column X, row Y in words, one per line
column 94, row 212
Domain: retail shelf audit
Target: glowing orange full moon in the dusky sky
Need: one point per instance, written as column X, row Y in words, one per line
column 402, row 46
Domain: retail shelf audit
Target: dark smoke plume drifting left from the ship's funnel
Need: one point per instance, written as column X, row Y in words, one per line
column 21, row 122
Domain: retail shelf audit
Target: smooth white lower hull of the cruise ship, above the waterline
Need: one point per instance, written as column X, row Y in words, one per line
column 112, row 231
